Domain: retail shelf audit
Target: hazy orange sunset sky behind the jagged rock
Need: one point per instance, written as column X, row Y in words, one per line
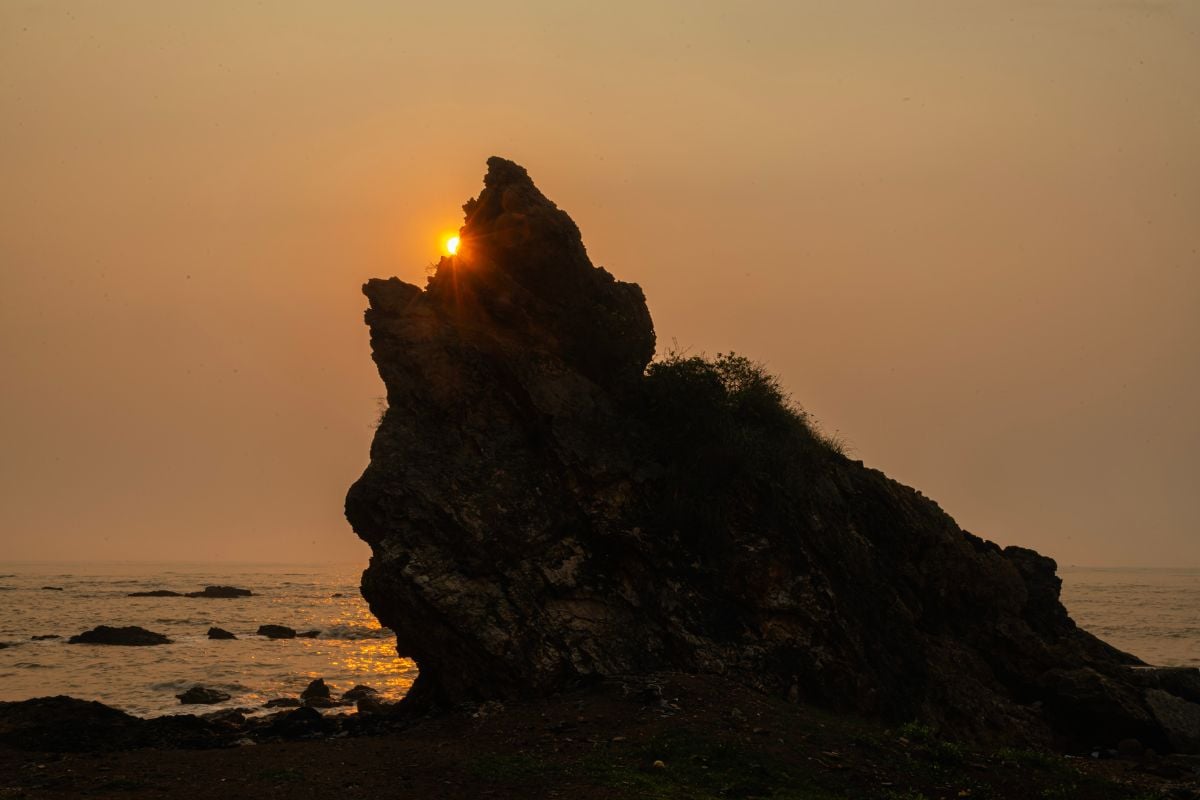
column 965, row 234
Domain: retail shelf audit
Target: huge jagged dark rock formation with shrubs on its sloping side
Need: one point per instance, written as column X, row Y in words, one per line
column 544, row 510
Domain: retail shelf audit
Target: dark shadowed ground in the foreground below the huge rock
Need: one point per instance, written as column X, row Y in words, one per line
column 675, row 738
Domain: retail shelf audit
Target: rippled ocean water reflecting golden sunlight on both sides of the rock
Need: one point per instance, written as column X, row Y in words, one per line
column 1153, row 613
